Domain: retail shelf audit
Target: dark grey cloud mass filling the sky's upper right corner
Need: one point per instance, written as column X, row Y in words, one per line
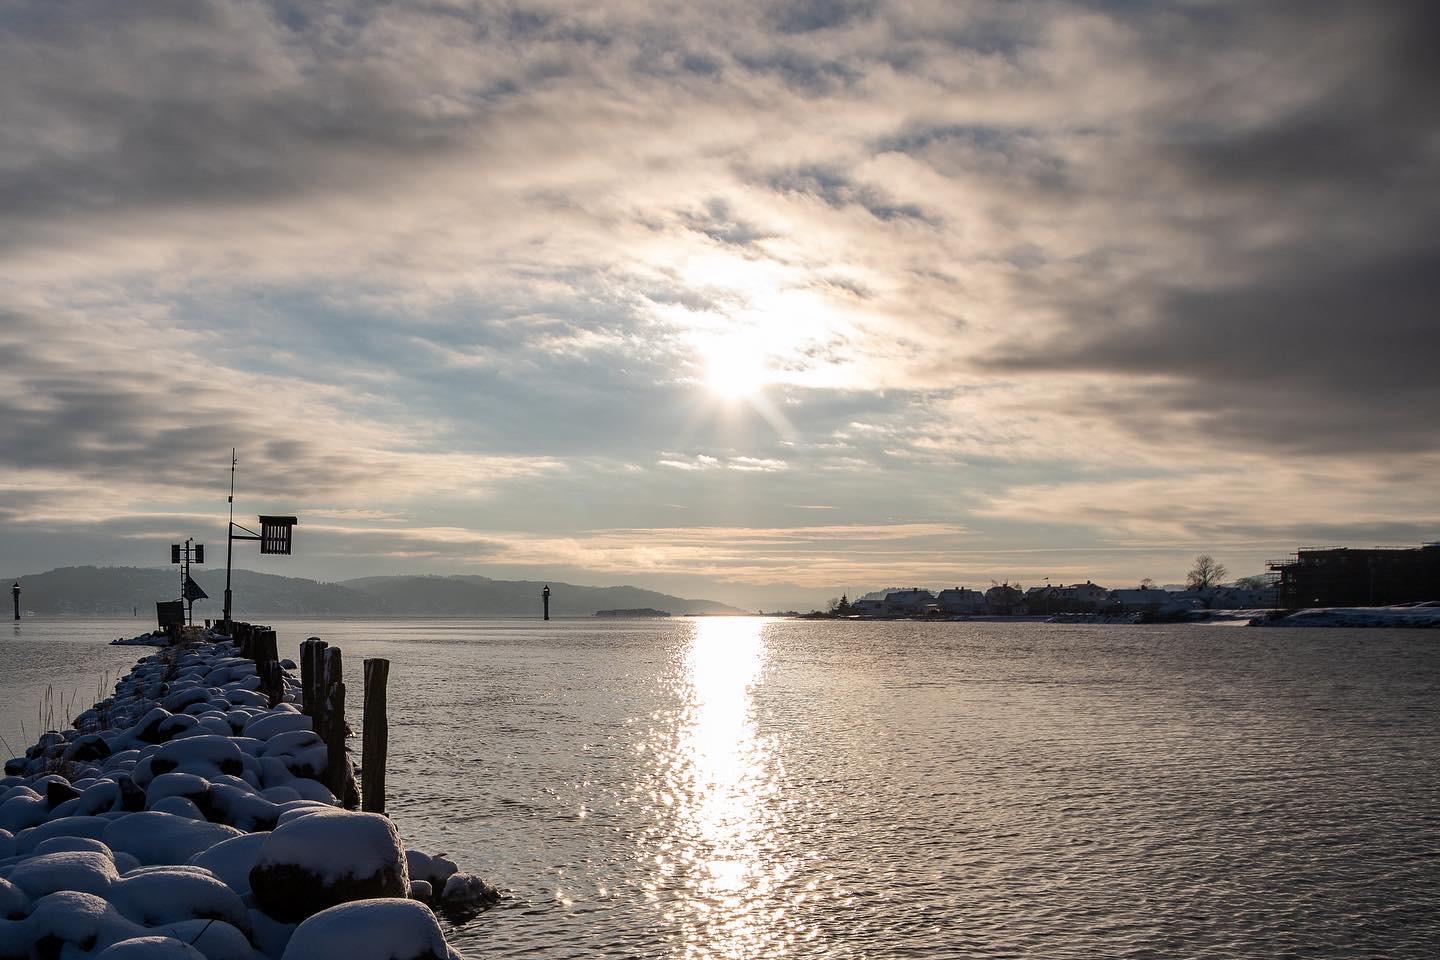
column 1313, row 326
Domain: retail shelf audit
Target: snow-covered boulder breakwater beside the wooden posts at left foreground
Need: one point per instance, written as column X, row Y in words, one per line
column 186, row 818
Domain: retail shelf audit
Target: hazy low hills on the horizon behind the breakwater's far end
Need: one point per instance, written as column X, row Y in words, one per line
column 120, row 591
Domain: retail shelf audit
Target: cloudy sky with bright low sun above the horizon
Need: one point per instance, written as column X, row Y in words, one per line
column 751, row 302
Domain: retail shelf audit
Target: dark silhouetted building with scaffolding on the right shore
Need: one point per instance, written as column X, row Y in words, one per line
column 1351, row 576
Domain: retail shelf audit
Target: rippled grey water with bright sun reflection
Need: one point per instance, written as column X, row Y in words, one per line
column 787, row 789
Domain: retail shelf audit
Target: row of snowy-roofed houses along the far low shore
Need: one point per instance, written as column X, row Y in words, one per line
column 1048, row 601
